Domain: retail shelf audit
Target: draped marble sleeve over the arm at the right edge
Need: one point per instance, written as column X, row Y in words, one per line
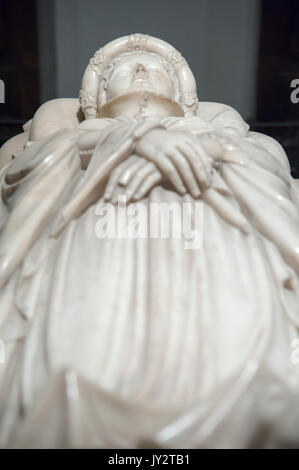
column 263, row 187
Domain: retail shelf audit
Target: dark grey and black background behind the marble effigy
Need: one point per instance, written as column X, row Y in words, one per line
column 244, row 53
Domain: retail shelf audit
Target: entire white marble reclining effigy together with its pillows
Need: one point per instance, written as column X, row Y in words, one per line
column 127, row 341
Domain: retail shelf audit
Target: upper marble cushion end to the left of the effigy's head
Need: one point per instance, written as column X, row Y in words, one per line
column 55, row 115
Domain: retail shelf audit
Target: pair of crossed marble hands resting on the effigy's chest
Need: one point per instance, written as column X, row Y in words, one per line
column 187, row 161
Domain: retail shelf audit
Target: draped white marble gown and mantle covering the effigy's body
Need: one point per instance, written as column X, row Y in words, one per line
column 122, row 341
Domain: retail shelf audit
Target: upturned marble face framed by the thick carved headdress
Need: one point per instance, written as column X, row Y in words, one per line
column 140, row 72
